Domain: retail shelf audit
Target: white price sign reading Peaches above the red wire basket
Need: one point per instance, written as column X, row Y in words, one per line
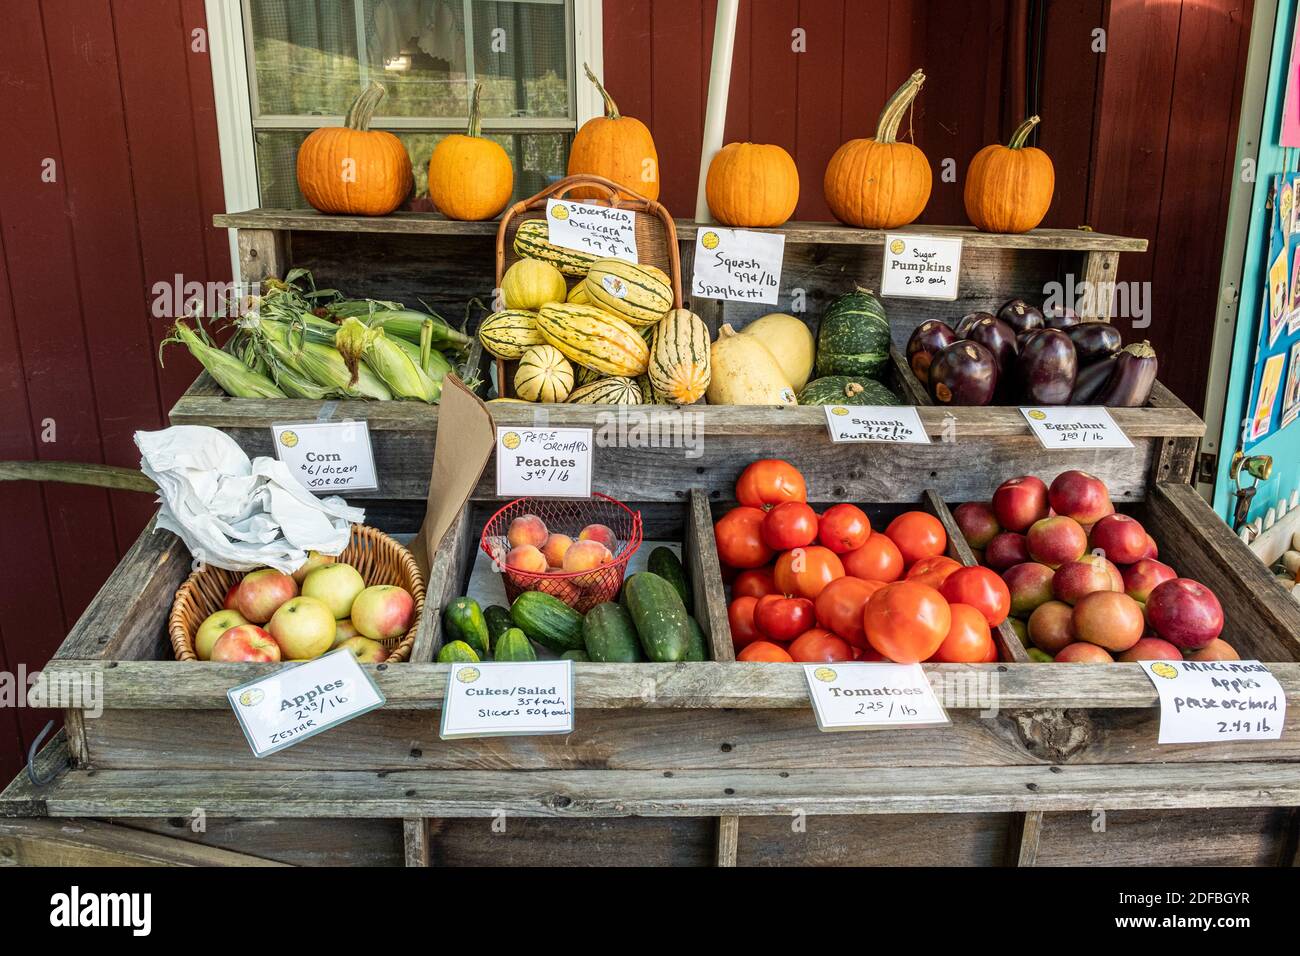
column 547, row 462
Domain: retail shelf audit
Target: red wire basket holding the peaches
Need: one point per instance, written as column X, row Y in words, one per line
column 580, row 590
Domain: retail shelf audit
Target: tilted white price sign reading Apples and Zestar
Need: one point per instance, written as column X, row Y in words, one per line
column 304, row 700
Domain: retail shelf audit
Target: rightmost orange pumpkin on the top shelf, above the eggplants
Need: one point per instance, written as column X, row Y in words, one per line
column 1009, row 188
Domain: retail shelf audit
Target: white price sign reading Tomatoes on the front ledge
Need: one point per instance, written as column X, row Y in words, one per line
column 864, row 697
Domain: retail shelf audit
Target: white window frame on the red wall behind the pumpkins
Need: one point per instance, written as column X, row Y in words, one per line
column 231, row 85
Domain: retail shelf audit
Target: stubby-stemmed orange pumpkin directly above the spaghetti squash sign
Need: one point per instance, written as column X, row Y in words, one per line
column 752, row 185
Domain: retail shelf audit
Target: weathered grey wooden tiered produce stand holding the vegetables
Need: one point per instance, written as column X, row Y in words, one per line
column 686, row 764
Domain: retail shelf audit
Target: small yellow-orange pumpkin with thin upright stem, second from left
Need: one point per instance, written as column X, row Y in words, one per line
column 470, row 178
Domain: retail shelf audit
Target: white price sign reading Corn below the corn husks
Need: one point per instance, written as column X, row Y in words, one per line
column 328, row 456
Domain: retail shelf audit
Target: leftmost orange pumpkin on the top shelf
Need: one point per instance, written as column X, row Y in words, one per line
column 354, row 170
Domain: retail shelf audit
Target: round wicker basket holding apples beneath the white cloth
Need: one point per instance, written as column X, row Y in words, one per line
column 376, row 557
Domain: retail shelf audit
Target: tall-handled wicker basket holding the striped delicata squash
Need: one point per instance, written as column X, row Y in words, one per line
column 657, row 239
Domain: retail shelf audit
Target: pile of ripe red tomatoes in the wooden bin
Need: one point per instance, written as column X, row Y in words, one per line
column 826, row 587
